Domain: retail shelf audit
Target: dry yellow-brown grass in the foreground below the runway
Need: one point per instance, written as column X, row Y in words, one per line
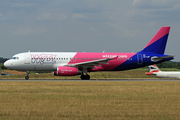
column 66, row 100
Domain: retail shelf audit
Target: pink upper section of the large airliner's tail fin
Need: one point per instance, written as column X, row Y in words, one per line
column 162, row 32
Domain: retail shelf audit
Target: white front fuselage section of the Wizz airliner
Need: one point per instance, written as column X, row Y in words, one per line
column 48, row 61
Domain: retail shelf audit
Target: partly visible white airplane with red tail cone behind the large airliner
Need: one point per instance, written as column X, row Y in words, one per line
column 154, row 71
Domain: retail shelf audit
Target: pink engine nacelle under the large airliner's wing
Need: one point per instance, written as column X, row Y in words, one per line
column 66, row 71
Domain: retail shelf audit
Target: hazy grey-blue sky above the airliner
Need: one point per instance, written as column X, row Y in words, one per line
column 86, row 25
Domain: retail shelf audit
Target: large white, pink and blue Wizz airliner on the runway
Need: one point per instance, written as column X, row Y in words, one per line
column 82, row 63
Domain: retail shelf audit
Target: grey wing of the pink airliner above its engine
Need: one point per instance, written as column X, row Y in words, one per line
column 91, row 64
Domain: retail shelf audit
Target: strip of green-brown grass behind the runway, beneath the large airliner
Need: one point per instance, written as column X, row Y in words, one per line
column 136, row 73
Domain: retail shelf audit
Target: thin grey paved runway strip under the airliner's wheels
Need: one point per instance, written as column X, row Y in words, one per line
column 95, row 80
